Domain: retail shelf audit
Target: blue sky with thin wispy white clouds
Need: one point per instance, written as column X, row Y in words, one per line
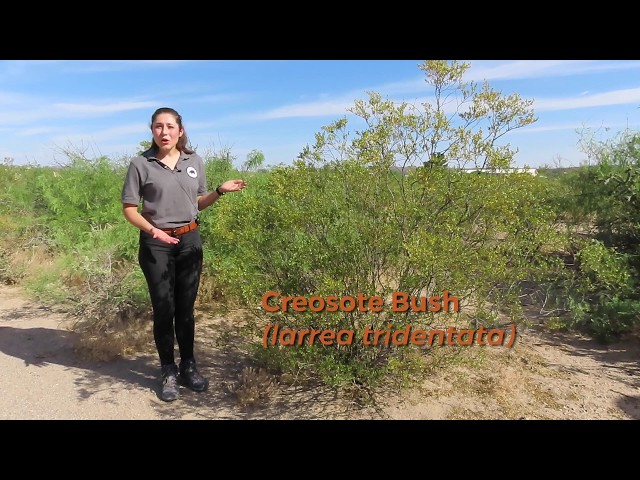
column 103, row 107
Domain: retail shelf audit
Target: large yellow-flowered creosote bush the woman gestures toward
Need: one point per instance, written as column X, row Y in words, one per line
column 344, row 219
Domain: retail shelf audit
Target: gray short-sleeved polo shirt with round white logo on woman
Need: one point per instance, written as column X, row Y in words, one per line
column 169, row 197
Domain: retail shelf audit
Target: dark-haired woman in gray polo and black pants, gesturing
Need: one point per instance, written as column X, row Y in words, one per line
column 169, row 179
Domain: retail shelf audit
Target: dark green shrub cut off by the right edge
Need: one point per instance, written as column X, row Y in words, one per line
column 599, row 290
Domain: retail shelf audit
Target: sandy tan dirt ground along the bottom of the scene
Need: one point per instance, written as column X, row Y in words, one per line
column 543, row 376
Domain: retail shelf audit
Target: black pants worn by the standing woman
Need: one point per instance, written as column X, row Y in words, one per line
column 173, row 276
